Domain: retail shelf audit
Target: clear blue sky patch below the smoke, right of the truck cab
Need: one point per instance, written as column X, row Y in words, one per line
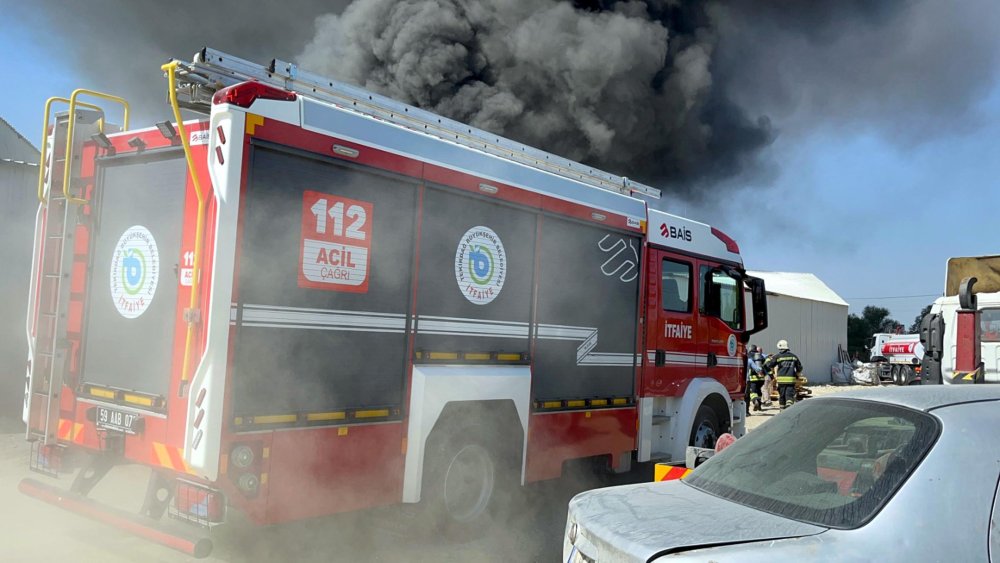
column 869, row 216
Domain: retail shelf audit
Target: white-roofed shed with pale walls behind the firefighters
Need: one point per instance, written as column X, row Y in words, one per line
column 809, row 315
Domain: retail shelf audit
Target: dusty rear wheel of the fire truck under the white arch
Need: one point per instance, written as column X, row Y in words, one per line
column 471, row 480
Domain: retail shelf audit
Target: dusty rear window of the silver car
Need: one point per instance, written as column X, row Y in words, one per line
column 831, row 462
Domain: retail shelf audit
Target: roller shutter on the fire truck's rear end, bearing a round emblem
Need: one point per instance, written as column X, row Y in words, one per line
column 132, row 306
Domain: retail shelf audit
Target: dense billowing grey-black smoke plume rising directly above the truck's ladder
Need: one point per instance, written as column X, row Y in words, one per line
column 626, row 86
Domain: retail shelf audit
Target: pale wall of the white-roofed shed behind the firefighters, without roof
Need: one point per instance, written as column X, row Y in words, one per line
column 813, row 330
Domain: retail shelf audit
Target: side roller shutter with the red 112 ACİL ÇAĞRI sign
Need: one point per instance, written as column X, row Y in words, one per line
column 323, row 291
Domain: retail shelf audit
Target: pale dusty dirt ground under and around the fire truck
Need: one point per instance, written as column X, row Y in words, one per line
column 33, row 530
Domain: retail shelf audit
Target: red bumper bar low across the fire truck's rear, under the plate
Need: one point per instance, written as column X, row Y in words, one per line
column 186, row 541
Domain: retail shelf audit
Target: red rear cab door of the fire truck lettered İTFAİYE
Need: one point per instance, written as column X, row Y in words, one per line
column 675, row 350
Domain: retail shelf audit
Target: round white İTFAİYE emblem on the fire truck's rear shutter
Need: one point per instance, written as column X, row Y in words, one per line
column 135, row 269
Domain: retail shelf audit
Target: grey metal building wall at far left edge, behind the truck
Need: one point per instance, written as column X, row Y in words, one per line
column 17, row 221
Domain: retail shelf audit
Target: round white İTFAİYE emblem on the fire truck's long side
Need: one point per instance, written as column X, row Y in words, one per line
column 480, row 265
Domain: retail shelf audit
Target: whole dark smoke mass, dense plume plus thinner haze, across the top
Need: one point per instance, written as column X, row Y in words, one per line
column 685, row 95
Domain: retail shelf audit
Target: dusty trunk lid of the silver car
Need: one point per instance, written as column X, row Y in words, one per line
column 637, row 522
